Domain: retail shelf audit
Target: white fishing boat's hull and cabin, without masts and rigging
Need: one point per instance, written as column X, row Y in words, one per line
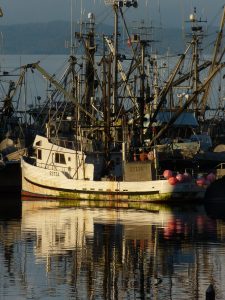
column 59, row 171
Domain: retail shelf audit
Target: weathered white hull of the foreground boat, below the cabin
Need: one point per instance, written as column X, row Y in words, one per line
column 45, row 183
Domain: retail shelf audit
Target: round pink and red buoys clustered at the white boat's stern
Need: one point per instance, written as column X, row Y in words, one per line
column 174, row 179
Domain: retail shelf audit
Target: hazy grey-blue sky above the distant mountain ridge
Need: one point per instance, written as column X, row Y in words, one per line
column 168, row 13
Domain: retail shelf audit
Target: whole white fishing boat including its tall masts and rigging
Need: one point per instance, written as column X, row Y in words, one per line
column 94, row 147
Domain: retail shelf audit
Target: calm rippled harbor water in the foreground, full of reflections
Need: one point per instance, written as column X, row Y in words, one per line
column 86, row 252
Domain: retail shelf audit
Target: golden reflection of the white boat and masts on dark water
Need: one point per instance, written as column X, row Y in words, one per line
column 121, row 253
